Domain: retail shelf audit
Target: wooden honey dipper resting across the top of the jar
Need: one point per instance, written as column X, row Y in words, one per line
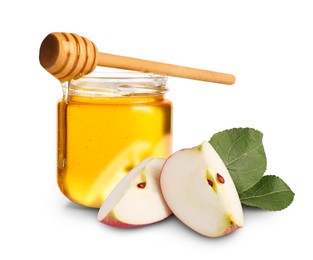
column 69, row 56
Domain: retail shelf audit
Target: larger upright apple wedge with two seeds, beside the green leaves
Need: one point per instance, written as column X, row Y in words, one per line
column 200, row 192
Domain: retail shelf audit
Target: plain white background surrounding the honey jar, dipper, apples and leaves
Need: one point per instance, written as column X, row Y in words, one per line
column 266, row 44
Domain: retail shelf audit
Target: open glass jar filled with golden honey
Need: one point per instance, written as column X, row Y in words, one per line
column 107, row 124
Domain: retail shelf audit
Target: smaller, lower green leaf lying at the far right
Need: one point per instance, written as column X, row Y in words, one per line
column 270, row 193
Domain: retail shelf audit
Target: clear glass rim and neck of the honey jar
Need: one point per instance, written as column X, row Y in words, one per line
column 118, row 84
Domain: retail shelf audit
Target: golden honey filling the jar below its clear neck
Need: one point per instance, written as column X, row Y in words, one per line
column 101, row 139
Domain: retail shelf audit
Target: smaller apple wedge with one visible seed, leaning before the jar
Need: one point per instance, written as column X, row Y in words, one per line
column 137, row 200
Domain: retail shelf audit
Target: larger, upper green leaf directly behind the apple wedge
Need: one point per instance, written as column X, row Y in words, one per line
column 242, row 151
